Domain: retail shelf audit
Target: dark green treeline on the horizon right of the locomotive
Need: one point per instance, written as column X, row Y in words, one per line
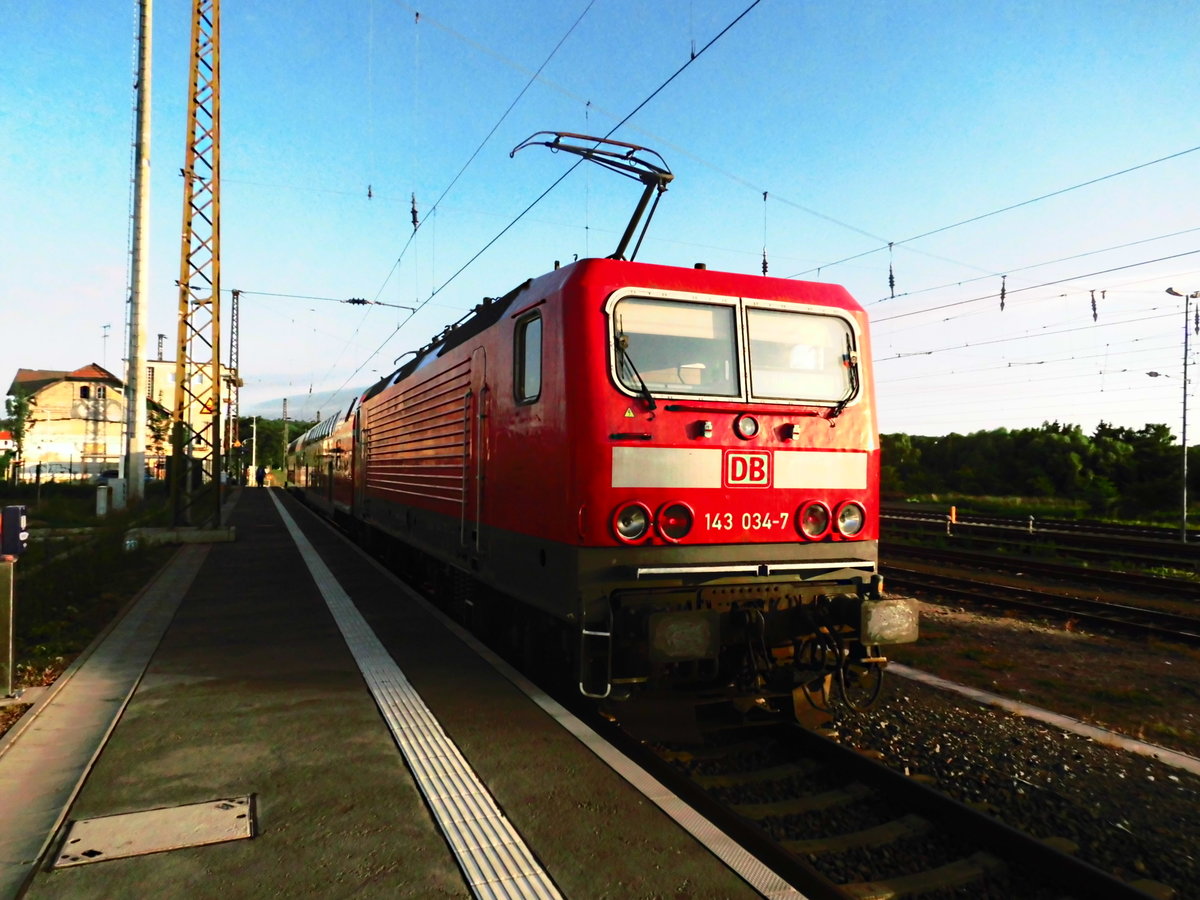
column 1115, row 471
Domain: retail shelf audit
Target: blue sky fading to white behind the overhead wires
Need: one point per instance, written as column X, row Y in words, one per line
column 866, row 124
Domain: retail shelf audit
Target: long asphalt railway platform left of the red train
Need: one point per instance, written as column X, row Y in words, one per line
column 280, row 717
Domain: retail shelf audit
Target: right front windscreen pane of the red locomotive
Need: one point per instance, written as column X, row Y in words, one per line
column 797, row 356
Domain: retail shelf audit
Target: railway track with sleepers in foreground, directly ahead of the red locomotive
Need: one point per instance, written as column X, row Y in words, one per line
column 838, row 824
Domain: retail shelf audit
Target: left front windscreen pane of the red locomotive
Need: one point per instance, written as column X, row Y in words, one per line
column 676, row 347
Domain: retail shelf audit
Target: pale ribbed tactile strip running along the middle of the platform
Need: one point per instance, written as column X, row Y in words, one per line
column 494, row 859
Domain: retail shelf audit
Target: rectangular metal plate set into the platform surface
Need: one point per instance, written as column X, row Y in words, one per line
column 131, row 835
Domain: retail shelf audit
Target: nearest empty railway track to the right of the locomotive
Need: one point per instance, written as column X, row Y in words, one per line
column 1099, row 613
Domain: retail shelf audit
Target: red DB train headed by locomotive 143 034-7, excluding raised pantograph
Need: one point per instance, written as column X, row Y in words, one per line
column 668, row 477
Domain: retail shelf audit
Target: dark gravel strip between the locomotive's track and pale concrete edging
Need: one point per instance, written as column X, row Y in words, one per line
column 1130, row 815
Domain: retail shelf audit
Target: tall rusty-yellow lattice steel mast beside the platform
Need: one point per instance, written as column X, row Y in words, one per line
column 196, row 433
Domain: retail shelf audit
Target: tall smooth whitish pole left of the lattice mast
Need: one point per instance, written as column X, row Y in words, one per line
column 140, row 267
